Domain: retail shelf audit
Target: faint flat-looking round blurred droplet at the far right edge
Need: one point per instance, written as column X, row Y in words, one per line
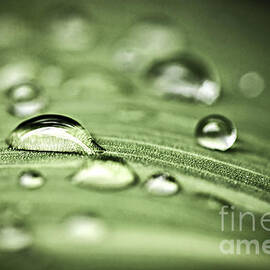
column 251, row 84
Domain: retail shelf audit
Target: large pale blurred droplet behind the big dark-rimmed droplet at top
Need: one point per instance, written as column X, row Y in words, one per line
column 147, row 40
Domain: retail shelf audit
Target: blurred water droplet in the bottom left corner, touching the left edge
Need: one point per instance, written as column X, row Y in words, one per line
column 13, row 233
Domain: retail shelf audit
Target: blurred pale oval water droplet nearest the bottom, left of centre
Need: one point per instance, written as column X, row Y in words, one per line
column 84, row 229
